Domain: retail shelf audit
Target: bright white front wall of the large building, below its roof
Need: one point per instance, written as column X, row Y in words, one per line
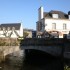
column 59, row 24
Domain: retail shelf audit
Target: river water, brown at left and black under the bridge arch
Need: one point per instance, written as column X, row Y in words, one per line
column 35, row 60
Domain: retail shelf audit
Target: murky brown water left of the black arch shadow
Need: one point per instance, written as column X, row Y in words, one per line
column 12, row 62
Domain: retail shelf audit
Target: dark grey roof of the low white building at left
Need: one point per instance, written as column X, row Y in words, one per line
column 11, row 25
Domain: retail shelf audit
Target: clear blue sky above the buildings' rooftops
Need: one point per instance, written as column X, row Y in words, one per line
column 26, row 11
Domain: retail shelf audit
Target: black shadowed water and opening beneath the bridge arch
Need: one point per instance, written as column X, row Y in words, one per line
column 37, row 60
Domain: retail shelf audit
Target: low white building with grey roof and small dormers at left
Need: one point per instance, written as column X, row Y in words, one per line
column 11, row 30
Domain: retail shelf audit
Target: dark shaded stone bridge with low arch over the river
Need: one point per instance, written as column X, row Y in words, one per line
column 56, row 47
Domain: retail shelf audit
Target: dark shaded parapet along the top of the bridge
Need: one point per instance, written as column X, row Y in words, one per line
column 41, row 42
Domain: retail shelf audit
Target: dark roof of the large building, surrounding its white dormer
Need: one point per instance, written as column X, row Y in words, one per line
column 61, row 14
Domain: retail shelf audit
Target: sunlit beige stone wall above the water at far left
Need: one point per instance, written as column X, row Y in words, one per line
column 6, row 50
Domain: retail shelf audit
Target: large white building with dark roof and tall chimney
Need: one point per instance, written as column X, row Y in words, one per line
column 53, row 22
